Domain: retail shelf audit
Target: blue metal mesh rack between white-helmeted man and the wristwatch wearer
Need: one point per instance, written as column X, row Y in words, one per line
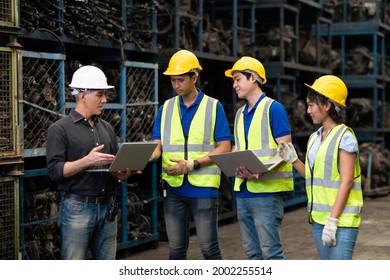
column 141, row 104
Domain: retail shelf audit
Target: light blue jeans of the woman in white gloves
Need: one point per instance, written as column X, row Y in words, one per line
column 345, row 243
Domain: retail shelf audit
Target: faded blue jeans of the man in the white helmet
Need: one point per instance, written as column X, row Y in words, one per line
column 83, row 227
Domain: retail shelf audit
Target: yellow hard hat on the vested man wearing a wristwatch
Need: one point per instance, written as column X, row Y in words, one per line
column 182, row 62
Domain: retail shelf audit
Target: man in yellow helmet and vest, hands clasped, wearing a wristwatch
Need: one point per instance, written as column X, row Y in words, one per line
column 188, row 128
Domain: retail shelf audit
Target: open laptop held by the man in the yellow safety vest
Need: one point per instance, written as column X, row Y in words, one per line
column 229, row 162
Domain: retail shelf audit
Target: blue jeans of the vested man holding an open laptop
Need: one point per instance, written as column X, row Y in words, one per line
column 260, row 220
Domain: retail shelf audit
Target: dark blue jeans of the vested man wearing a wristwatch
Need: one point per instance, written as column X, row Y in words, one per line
column 177, row 211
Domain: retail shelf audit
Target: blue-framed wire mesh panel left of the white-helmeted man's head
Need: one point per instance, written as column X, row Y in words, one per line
column 42, row 99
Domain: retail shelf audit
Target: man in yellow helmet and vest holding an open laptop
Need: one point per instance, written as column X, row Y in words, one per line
column 259, row 126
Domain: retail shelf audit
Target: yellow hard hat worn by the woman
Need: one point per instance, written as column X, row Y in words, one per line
column 331, row 87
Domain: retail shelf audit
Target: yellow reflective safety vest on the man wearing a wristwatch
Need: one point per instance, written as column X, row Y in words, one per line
column 200, row 142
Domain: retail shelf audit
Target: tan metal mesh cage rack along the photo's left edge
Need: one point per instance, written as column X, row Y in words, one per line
column 10, row 151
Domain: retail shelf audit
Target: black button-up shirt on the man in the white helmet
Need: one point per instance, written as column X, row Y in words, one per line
column 71, row 138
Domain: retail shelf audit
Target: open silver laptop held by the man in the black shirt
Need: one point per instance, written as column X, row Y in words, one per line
column 134, row 155
